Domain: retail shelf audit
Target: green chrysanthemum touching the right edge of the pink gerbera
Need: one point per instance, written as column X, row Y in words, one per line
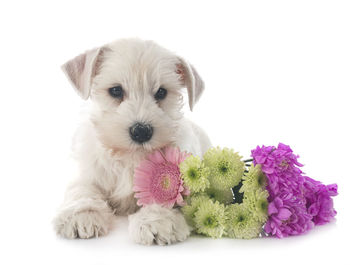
column 195, row 176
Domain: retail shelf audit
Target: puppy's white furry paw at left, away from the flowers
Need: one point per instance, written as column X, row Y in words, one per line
column 85, row 224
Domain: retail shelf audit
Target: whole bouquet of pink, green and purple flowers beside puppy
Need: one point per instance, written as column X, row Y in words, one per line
column 223, row 195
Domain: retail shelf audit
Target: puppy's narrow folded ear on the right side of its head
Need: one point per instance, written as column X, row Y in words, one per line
column 191, row 80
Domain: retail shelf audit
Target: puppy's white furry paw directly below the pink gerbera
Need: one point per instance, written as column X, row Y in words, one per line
column 159, row 225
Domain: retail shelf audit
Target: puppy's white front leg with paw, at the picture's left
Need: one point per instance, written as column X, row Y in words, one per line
column 84, row 213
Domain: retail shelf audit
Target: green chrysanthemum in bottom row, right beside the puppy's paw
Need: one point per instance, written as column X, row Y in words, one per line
column 210, row 218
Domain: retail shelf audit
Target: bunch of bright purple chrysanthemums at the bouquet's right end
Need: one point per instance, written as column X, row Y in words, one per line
column 296, row 202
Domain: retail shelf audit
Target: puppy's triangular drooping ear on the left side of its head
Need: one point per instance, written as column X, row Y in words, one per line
column 81, row 70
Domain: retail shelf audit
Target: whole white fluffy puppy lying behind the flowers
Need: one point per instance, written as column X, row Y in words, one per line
column 135, row 91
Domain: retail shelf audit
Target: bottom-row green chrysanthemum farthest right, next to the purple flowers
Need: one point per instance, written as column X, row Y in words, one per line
column 240, row 223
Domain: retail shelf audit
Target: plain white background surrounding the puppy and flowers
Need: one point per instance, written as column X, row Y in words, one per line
column 275, row 71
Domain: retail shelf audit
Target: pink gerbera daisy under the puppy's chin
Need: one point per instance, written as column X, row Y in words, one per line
column 158, row 180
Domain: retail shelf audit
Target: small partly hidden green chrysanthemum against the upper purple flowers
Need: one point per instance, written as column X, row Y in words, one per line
column 254, row 179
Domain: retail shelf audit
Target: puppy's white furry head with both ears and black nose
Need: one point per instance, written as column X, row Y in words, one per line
column 135, row 87
